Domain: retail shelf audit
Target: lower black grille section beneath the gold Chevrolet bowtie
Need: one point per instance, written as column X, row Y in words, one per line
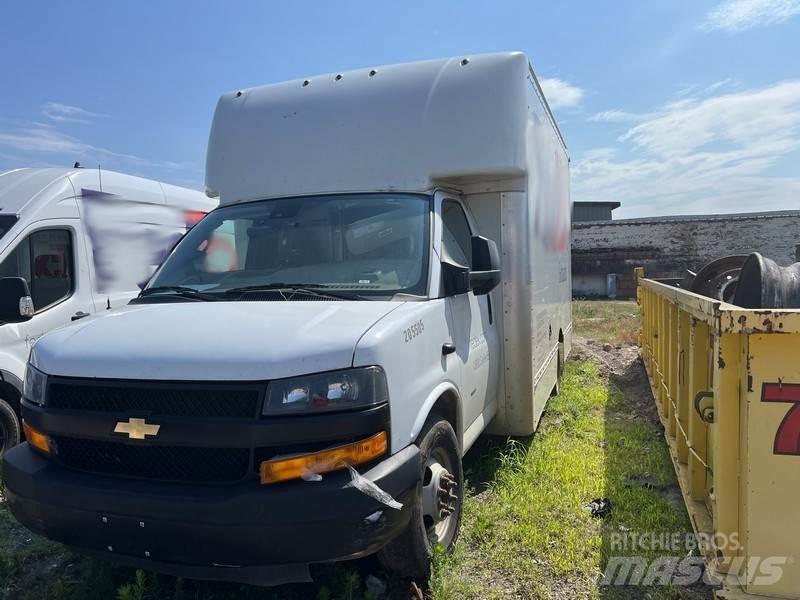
column 164, row 463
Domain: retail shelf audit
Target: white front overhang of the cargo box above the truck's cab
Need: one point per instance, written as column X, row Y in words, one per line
column 408, row 127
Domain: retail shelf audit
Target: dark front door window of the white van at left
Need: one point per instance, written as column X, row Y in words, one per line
column 44, row 260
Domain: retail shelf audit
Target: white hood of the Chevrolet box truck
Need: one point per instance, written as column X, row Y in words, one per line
column 211, row 341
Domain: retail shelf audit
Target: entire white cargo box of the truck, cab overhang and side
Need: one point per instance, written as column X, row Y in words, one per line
column 477, row 125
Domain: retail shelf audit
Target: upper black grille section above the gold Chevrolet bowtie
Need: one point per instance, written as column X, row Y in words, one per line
column 169, row 399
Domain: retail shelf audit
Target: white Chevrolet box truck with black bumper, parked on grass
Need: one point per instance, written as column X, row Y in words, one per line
column 388, row 275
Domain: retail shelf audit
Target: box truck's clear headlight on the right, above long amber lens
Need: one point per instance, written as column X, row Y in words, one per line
column 325, row 392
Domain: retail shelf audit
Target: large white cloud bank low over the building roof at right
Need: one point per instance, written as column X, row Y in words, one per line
column 701, row 156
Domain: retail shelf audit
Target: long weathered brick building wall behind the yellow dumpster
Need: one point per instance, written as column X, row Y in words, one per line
column 667, row 247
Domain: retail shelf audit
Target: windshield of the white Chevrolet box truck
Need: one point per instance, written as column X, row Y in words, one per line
column 370, row 244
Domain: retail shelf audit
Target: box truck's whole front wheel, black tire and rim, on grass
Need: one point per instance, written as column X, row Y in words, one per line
column 409, row 554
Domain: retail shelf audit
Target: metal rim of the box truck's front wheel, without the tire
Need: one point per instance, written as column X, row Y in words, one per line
column 439, row 498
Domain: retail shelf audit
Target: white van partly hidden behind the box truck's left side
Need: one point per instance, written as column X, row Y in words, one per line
column 76, row 241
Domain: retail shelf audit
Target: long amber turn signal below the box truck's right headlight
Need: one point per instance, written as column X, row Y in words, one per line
column 333, row 459
